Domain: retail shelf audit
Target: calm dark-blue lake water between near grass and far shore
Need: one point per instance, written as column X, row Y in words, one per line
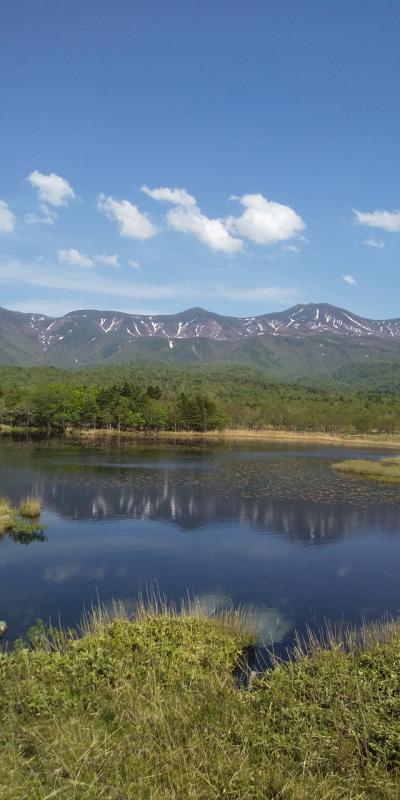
column 270, row 526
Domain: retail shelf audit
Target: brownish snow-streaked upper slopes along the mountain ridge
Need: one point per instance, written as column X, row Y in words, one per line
column 82, row 329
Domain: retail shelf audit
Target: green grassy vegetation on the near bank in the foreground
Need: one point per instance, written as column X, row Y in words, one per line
column 145, row 706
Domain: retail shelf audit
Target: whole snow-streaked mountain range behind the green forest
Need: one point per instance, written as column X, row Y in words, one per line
column 311, row 339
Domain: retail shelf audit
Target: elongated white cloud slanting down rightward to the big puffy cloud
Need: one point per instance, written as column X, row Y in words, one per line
column 187, row 217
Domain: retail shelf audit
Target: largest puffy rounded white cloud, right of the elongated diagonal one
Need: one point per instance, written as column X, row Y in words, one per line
column 264, row 221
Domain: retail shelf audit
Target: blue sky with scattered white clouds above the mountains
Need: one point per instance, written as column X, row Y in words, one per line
column 241, row 156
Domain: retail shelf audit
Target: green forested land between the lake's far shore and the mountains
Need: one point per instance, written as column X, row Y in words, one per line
column 154, row 398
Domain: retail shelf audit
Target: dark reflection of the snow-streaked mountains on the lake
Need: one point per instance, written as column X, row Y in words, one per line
column 192, row 504
